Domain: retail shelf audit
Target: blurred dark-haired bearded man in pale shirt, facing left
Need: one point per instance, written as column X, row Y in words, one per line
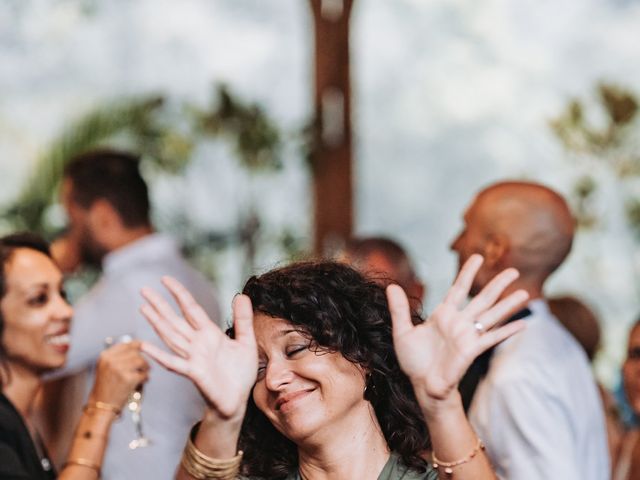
column 108, row 207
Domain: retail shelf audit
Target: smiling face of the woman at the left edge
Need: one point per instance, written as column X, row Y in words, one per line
column 35, row 313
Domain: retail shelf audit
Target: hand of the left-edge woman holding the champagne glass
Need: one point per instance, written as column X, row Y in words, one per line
column 120, row 370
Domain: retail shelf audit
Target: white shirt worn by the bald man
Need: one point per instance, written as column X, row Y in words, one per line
column 538, row 410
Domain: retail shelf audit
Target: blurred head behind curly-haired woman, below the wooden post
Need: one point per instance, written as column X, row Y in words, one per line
column 385, row 260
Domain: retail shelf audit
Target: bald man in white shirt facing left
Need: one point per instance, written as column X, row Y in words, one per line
column 537, row 408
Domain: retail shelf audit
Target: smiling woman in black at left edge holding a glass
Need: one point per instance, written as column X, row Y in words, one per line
column 34, row 325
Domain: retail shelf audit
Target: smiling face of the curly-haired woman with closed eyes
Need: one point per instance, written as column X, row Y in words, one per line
column 305, row 393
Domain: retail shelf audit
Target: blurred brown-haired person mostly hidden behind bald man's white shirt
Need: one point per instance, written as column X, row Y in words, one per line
column 582, row 323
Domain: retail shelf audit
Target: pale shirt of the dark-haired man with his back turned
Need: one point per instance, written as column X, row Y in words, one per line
column 171, row 404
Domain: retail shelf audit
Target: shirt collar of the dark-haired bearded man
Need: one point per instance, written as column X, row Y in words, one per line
column 152, row 247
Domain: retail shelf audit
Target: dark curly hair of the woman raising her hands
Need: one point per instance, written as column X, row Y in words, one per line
column 343, row 312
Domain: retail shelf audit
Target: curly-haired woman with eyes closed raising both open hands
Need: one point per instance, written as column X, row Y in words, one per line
column 326, row 375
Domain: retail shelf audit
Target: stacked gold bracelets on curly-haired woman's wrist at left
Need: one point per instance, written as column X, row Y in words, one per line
column 203, row 467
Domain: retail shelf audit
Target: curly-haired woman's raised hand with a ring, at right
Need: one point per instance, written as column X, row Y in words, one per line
column 437, row 353
